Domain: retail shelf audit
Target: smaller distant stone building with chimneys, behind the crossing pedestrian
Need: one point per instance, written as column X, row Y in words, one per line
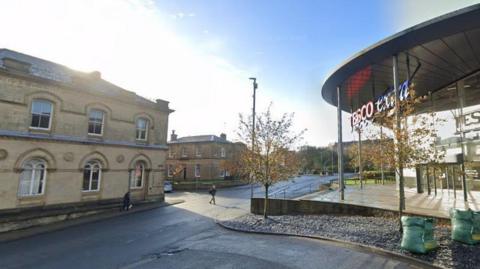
column 201, row 157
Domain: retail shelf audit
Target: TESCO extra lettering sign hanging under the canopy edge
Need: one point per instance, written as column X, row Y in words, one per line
column 385, row 102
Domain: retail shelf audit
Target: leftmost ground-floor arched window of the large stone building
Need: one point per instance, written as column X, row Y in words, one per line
column 33, row 177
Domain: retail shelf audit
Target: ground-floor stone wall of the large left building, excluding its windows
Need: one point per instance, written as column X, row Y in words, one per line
column 65, row 163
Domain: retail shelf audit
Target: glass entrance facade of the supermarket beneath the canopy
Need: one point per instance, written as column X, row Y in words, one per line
column 457, row 106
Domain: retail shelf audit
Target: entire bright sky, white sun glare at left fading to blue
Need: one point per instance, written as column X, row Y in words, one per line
column 199, row 54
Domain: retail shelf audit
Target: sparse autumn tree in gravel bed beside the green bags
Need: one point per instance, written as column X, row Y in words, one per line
column 407, row 146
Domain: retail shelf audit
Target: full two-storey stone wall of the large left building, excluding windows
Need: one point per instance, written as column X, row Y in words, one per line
column 67, row 146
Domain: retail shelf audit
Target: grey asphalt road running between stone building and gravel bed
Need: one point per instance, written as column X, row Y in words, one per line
column 183, row 236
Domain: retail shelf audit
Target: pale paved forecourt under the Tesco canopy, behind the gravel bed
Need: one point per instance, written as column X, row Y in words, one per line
column 386, row 196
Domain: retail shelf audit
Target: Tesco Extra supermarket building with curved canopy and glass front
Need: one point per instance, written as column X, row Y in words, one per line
column 441, row 57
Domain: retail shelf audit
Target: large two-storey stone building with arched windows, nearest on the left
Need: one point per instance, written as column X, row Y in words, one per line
column 68, row 137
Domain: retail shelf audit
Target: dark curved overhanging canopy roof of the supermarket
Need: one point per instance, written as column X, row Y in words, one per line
column 446, row 49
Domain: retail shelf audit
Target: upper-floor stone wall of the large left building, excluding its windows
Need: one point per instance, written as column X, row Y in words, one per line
column 71, row 107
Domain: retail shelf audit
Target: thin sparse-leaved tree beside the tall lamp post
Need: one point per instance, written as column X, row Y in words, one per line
column 271, row 159
